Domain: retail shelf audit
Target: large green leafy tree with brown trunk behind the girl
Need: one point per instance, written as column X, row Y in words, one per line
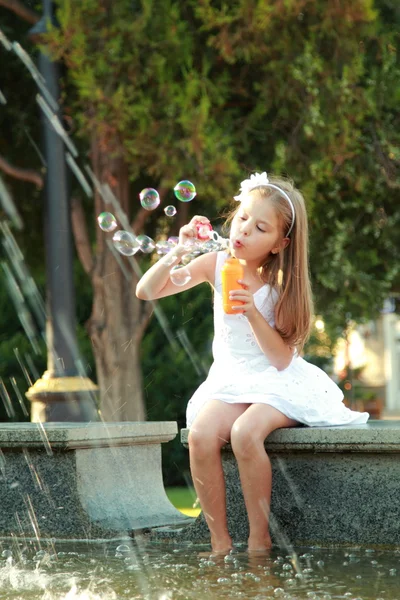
column 209, row 91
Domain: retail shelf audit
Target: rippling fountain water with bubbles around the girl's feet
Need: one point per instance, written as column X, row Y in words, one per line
column 161, row 571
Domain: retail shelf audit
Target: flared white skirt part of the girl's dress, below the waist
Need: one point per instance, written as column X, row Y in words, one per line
column 302, row 391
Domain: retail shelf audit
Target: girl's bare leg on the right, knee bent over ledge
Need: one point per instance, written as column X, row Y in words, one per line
column 247, row 438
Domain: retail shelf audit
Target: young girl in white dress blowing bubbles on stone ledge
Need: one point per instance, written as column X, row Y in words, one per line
column 258, row 382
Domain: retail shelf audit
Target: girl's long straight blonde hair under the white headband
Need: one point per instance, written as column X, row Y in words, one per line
column 288, row 270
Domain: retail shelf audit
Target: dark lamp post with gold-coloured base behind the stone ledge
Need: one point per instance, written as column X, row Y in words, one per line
column 63, row 393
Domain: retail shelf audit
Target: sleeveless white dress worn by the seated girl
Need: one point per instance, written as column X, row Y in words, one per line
column 242, row 373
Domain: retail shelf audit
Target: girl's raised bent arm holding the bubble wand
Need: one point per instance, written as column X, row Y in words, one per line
column 156, row 282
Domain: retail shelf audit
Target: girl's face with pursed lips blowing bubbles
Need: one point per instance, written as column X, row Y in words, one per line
column 256, row 230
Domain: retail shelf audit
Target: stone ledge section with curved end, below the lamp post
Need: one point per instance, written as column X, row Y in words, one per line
column 83, row 480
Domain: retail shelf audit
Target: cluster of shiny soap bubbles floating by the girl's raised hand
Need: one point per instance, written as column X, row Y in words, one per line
column 128, row 244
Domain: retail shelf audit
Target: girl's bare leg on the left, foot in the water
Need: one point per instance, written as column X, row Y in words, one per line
column 209, row 432
